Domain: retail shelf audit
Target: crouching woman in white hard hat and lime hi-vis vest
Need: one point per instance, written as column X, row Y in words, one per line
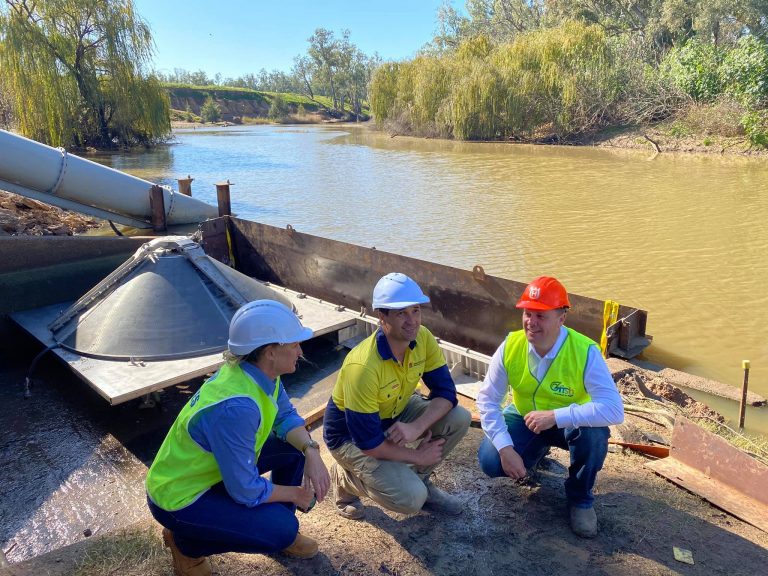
column 205, row 485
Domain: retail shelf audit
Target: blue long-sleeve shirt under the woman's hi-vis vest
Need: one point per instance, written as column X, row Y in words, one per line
column 228, row 430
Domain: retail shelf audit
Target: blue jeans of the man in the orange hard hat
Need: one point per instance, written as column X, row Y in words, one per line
column 587, row 446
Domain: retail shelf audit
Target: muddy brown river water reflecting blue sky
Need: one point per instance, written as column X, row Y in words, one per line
column 682, row 236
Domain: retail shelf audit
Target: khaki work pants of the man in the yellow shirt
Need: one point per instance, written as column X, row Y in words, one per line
column 394, row 485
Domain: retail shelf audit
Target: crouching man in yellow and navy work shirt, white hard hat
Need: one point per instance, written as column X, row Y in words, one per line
column 387, row 440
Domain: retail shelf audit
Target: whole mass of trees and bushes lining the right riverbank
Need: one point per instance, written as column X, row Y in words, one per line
column 564, row 68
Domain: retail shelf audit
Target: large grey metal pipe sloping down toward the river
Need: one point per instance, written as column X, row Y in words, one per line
column 56, row 177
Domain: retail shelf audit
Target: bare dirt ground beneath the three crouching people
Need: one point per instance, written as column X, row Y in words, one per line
column 506, row 527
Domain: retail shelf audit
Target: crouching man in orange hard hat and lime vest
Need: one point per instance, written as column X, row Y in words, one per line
column 562, row 395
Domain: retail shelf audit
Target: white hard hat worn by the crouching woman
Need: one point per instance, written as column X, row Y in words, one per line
column 263, row 322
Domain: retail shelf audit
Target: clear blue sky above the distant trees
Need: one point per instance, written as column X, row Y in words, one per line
column 236, row 37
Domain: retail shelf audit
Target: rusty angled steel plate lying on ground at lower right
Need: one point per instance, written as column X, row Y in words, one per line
column 707, row 465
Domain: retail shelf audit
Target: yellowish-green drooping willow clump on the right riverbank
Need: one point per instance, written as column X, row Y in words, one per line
column 558, row 81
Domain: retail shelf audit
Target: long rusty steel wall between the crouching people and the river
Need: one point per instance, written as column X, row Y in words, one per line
column 472, row 309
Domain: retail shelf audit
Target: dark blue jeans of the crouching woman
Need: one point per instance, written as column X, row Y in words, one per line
column 215, row 523
